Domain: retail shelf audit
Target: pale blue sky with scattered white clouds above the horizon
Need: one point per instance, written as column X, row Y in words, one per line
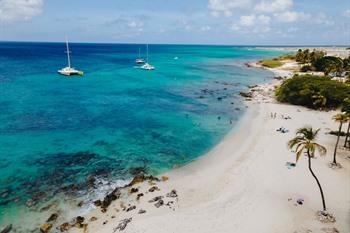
column 258, row 22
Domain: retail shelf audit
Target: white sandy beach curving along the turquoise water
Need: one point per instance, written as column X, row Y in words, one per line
column 243, row 185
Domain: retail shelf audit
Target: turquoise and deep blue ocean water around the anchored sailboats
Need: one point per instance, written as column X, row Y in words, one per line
column 114, row 122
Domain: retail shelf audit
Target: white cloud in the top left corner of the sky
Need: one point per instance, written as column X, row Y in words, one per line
column 19, row 10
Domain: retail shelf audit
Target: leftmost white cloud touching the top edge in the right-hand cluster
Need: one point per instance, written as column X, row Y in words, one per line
column 226, row 7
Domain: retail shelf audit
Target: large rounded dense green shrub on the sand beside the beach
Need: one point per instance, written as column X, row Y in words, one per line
column 313, row 92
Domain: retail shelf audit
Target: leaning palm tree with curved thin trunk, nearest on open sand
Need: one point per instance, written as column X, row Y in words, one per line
column 304, row 142
